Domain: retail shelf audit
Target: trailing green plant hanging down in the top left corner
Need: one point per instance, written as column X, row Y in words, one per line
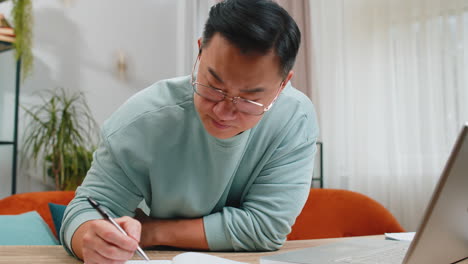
column 22, row 23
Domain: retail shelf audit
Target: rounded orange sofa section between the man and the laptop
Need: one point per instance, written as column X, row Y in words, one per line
column 340, row 213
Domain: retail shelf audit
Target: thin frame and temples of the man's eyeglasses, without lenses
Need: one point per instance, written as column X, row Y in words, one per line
column 233, row 99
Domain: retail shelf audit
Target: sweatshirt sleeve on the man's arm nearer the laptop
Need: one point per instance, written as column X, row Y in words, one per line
column 274, row 199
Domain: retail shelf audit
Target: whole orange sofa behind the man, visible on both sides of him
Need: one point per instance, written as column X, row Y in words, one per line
column 327, row 213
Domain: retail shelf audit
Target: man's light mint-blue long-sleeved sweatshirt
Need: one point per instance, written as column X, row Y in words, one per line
column 249, row 189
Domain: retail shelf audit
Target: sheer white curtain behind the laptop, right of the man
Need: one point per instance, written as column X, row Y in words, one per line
column 389, row 80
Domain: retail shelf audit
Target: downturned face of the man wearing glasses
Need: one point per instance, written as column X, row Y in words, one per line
column 252, row 76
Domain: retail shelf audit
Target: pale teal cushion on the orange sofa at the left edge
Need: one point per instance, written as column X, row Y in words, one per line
column 25, row 229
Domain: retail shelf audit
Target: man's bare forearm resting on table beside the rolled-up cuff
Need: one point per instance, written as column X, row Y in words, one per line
column 184, row 233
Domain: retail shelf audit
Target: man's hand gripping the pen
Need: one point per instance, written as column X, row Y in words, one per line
column 98, row 241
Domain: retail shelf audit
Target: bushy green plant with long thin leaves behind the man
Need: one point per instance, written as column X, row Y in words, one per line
column 62, row 133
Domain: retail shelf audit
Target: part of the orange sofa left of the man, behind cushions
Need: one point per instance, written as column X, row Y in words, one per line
column 35, row 201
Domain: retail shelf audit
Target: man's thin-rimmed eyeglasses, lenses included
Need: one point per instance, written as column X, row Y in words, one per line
column 216, row 95
